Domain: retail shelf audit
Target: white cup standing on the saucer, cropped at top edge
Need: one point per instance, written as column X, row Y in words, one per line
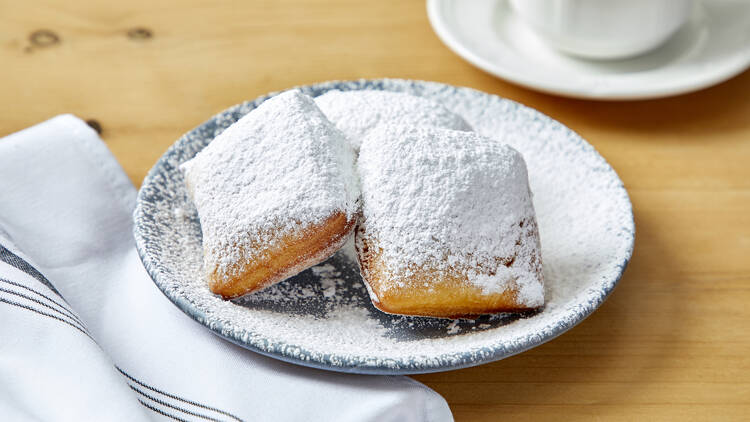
column 604, row 29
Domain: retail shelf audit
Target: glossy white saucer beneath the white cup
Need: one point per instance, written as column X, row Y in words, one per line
column 713, row 46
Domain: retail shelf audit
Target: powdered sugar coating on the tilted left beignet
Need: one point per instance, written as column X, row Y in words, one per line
column 279, row 169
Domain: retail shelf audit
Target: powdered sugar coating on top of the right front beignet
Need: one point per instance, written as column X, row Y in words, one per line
column 469, row 209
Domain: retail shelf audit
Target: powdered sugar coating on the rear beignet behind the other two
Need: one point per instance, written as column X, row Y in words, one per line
column 356, row 113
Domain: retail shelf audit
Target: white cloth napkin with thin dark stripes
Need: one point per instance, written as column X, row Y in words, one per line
column 109, row 345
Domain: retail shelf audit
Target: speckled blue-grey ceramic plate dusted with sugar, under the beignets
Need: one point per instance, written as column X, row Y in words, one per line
column 323, row 317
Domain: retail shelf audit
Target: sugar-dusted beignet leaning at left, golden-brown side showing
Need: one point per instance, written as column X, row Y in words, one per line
column 276, row 192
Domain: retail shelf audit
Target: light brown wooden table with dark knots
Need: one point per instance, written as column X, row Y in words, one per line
column 671, row 343
